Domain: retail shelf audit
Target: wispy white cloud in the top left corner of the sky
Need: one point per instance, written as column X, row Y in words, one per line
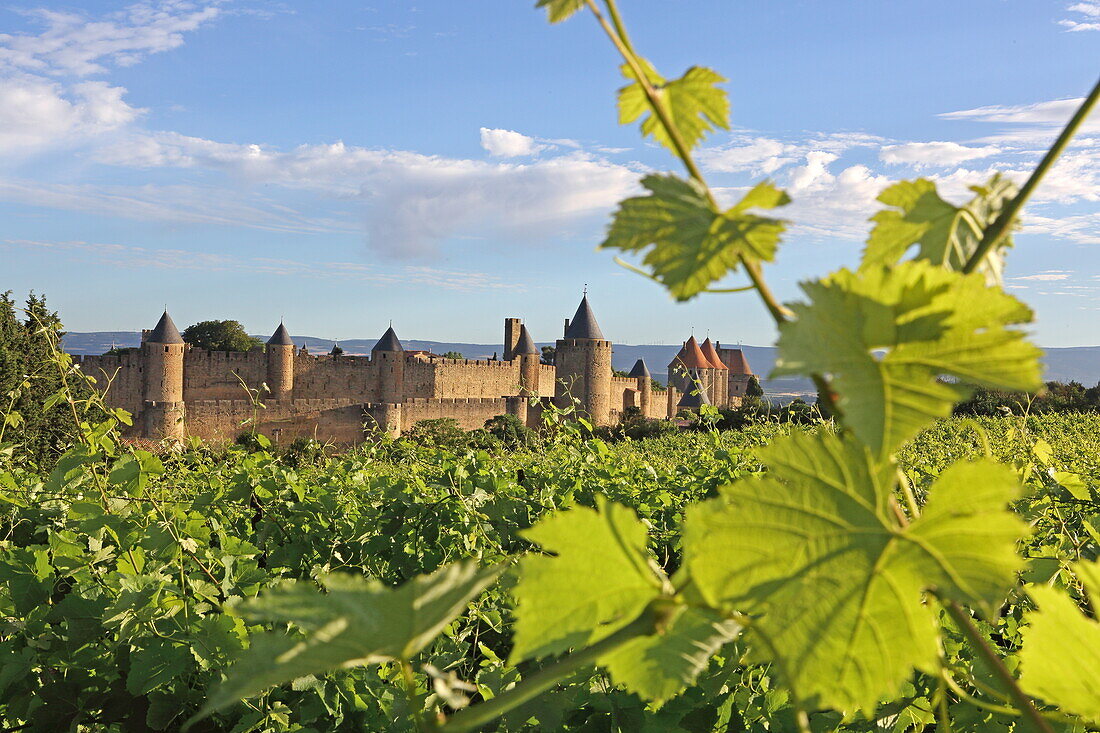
column 73, row 45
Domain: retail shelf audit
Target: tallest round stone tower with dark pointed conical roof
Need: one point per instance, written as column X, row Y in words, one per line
column 584, row 359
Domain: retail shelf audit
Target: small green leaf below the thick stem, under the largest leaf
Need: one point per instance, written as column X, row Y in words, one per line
column 661, row 666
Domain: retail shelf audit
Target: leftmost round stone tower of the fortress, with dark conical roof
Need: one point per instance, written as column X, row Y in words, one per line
column 163, row 381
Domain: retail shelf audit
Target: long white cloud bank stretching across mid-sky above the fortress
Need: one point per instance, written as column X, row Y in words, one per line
column 410, row 203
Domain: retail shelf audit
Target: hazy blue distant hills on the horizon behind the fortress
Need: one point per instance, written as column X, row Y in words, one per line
column 1075, row 364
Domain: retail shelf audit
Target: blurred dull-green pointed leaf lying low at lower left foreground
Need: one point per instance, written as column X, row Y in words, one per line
column 357, row 622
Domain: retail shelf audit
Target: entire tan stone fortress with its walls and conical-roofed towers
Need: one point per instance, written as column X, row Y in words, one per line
column 174, row 390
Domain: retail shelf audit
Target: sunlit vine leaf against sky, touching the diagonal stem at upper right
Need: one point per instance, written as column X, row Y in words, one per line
column 948, row 235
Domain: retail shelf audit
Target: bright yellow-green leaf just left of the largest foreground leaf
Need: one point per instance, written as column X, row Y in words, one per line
column 600, row 579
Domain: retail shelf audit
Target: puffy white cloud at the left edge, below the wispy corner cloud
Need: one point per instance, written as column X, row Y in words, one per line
column 37, row 114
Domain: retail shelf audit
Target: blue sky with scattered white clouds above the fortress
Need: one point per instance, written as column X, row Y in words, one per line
column 446, row 165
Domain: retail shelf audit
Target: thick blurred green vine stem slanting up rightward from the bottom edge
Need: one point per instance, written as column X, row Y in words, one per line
column 474, row 718
